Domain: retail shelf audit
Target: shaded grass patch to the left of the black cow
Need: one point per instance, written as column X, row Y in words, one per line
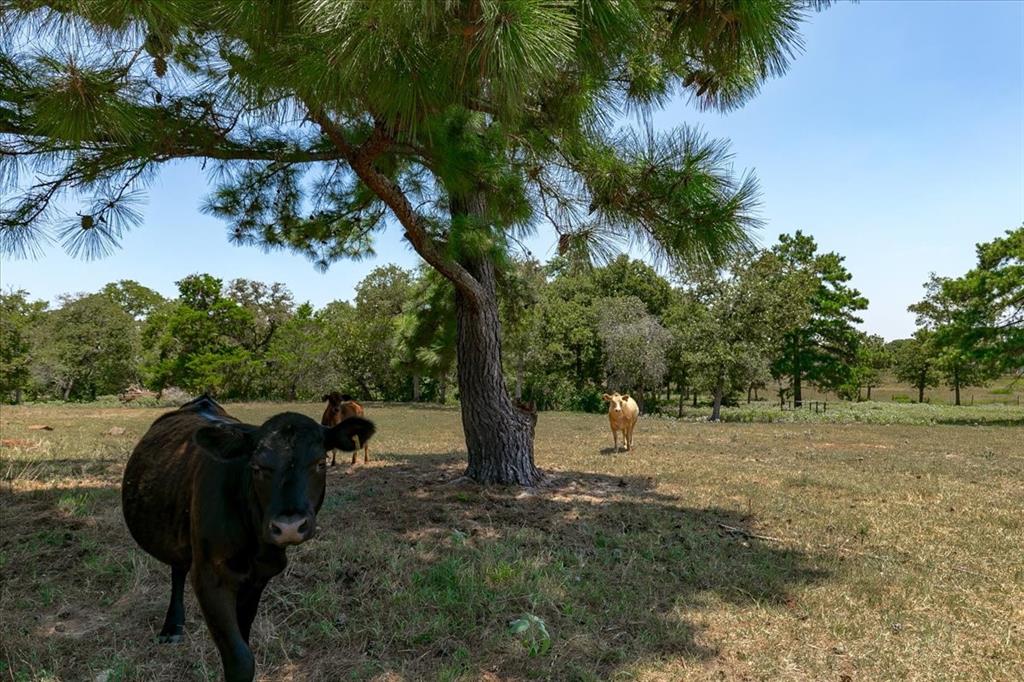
column 80, row 600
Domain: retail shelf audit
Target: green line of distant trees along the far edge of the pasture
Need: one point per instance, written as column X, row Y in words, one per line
column 783, row 317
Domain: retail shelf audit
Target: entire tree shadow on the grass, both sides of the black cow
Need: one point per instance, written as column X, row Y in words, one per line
column 413, row 577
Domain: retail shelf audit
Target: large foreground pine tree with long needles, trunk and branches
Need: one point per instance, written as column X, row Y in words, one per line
column 468, row 122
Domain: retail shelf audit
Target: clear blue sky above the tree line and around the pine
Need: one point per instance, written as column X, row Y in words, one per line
column 897, row 140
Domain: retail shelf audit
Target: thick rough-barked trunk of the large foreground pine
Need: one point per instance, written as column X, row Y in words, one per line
column 499, row 436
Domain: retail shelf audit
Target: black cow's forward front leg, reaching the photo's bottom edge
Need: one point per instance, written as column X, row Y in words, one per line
column 220, row 605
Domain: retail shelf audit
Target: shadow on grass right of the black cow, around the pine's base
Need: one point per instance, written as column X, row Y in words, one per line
column 430, row 573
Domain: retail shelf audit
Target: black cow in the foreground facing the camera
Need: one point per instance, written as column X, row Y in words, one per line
column 205, row 493
